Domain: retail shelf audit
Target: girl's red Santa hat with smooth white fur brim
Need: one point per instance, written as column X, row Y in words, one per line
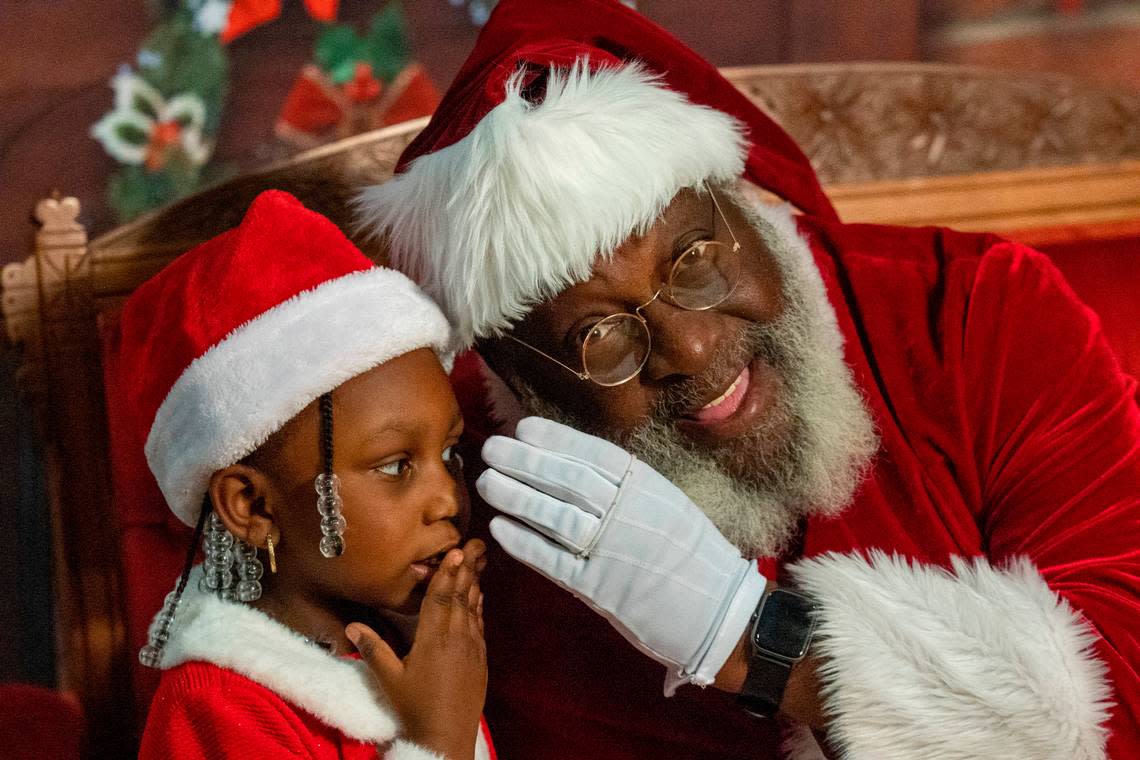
column 237, row 337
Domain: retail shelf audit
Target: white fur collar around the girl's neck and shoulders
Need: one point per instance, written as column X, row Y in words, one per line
column 341, row 692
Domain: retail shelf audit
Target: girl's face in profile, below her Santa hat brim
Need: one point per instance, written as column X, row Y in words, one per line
column 394, row 432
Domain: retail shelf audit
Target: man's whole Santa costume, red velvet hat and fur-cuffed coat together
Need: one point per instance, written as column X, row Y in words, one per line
column 998, row 618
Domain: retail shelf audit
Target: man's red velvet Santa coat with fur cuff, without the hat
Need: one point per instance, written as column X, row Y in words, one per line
column 1008, row 431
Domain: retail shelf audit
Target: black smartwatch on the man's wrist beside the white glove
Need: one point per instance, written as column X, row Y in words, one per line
column 780, row 636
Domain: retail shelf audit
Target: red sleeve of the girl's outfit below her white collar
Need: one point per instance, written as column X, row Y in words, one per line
column 199, row 714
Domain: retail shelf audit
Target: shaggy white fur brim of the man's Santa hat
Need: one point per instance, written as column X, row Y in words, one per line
column 523, row 207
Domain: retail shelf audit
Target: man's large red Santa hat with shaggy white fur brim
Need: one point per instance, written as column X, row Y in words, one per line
column 572, row 127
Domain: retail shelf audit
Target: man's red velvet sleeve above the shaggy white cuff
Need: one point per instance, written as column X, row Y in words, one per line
column 1057, row 435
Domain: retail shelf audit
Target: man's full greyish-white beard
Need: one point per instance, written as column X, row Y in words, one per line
column 758, row 494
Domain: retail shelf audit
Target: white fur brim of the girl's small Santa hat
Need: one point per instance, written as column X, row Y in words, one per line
column 245, row 389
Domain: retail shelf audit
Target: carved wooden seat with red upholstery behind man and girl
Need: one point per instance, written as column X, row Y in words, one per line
column 1041, row 159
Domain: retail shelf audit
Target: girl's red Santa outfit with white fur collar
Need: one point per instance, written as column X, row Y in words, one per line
column 238, row 684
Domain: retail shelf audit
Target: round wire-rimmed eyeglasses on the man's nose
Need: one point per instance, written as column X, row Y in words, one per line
column 616, row 348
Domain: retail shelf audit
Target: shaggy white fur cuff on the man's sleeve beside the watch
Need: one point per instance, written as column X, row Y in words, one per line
column 918, row 661
